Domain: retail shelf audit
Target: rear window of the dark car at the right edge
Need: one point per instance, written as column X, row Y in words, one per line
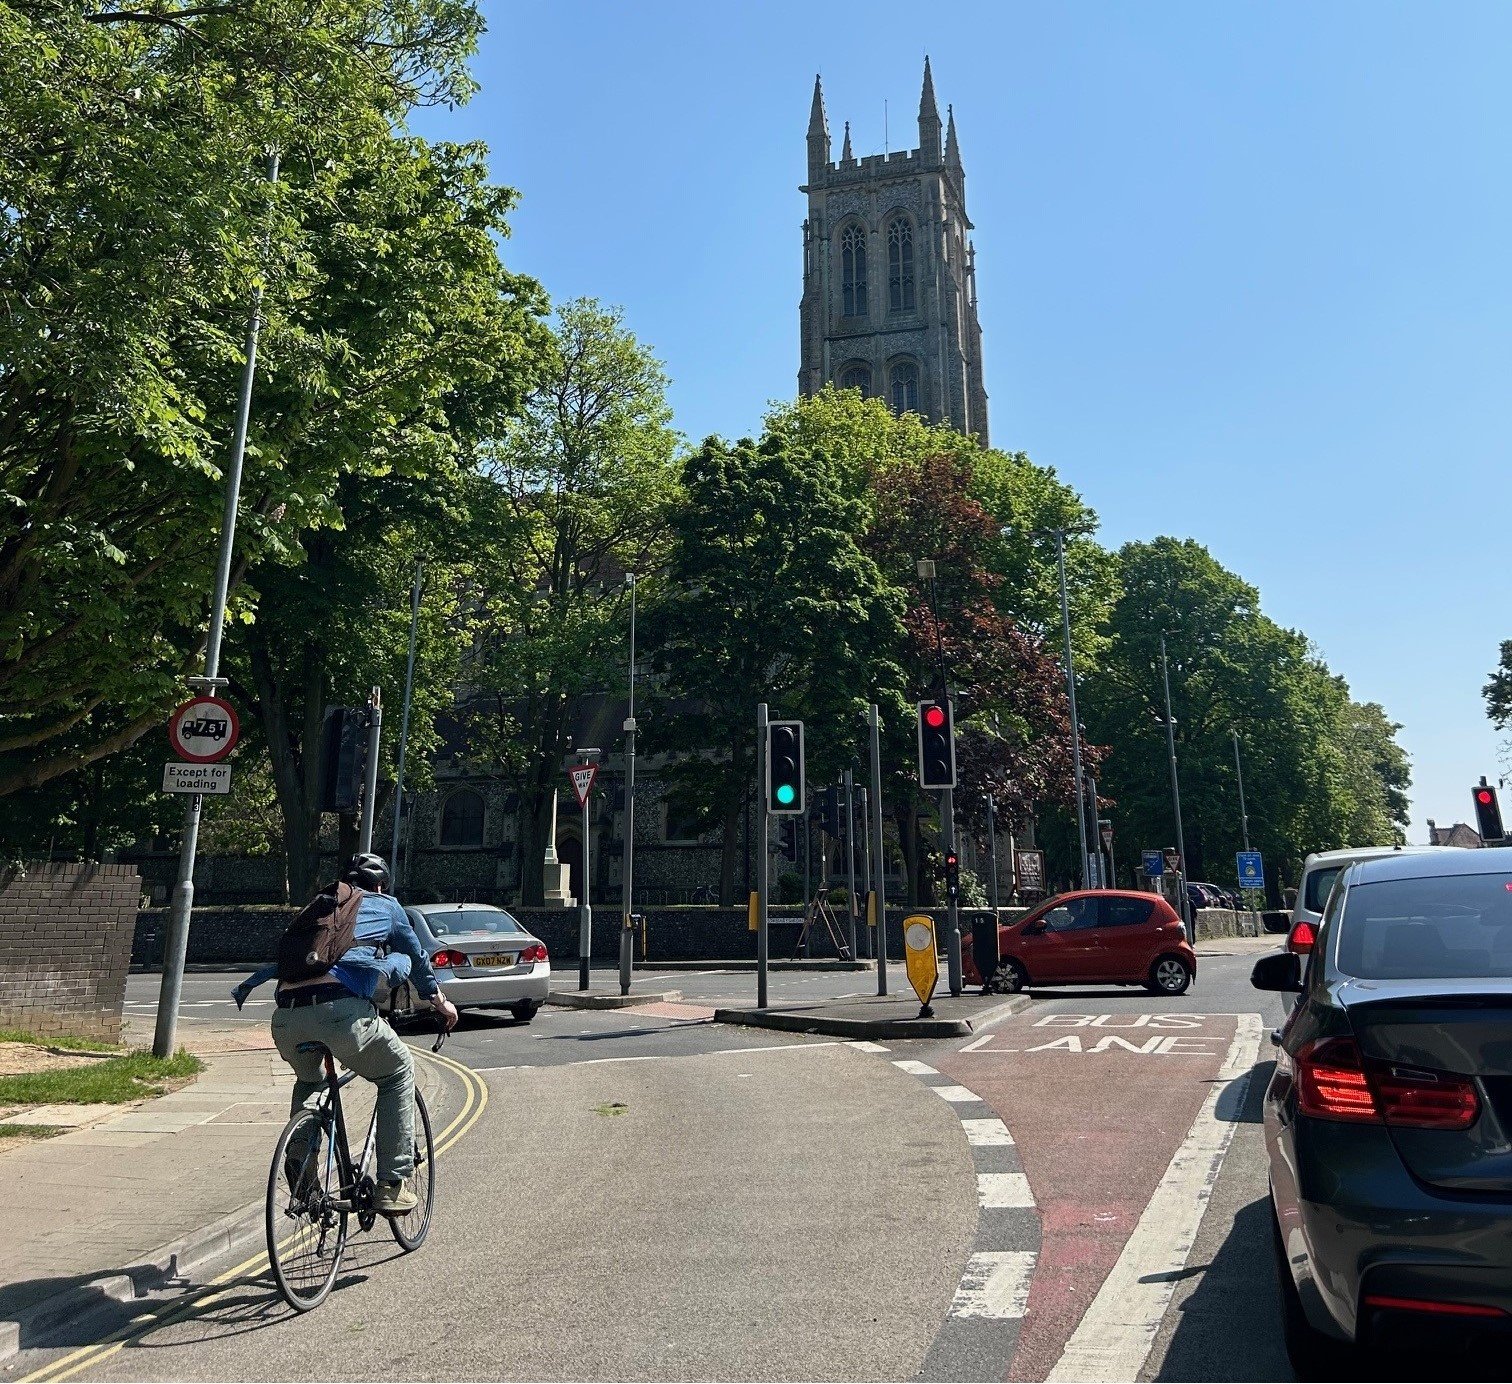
column 1436, row 929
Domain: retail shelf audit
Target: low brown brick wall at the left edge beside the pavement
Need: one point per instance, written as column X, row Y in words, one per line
column 66, row 945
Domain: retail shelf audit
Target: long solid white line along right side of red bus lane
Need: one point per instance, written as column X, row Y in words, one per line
column 1120, row 1327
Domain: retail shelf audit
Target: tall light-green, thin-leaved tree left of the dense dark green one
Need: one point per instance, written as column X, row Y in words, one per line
column 584, row 480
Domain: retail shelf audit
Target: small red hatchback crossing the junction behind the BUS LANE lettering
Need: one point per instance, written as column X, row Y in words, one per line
column 1097, row 937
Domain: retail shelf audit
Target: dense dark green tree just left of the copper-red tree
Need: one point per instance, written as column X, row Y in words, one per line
column 770, row 598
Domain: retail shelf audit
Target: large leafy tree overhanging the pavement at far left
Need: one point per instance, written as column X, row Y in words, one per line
column 135, row 214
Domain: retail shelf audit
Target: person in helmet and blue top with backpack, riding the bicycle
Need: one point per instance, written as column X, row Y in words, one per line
column 338, row 1011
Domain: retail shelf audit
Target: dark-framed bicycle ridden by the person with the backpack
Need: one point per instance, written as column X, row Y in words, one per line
column 315, row 1187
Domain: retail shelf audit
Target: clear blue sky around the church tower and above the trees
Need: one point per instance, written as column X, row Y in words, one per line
column 1245, row 272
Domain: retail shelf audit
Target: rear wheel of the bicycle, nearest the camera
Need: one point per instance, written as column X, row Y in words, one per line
column 306, row 1220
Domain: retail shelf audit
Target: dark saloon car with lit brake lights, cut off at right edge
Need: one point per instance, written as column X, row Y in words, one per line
column 1389, row 1122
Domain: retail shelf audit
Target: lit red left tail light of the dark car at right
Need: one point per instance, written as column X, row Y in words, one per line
column 1334, row 1084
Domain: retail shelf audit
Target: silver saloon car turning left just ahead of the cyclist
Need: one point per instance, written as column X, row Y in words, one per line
column 483, row 958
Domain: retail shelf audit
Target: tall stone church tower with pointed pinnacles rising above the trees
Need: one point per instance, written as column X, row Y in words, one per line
column 890, row 282
